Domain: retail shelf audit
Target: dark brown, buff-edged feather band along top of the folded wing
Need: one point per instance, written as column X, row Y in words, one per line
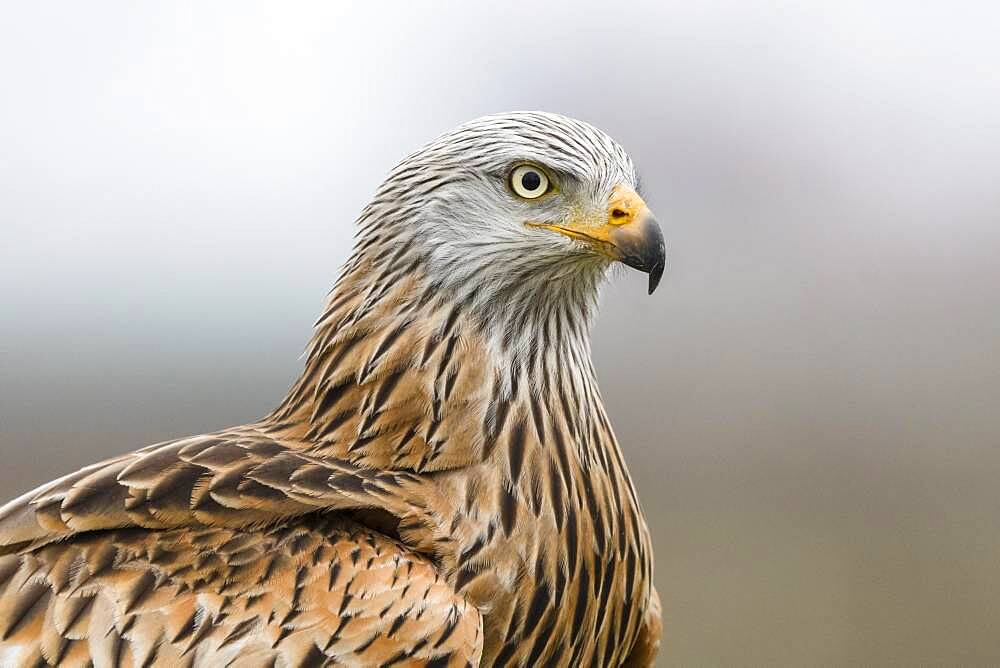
column 241, row 477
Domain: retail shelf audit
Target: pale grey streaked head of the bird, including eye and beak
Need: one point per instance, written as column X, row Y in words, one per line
column 515, row 208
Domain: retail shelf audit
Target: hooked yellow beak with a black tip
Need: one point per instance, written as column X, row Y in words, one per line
column 629, row 234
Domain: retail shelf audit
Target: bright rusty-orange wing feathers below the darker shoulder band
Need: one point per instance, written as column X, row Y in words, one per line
column 324, row 590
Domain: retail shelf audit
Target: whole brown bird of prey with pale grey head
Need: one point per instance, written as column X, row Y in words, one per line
column 440, row 487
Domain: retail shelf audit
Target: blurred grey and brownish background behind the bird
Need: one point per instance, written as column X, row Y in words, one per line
column 809, row 404
